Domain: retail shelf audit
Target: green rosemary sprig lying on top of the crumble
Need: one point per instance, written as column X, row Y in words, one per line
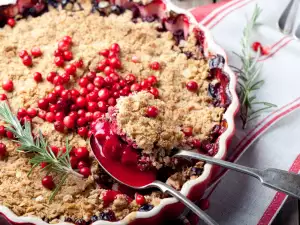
column 59, row 164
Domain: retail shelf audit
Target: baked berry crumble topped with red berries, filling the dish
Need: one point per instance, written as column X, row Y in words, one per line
column 64, row 69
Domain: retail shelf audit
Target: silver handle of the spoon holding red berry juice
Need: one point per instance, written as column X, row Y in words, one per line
column 202, row 215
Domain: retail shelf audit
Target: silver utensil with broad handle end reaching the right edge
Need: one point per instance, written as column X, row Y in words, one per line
column 277, row 179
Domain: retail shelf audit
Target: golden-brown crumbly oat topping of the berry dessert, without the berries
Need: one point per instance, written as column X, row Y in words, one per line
column 81, row 198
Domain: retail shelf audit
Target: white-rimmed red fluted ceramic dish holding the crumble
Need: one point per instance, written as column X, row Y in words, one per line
column 192, row 188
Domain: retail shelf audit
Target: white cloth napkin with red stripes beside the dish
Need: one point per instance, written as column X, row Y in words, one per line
column 237, row 198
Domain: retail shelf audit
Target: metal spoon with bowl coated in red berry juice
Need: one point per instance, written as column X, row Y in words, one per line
column 120, row 176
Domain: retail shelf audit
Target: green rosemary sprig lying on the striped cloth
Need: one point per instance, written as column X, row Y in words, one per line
column 249, row 76
